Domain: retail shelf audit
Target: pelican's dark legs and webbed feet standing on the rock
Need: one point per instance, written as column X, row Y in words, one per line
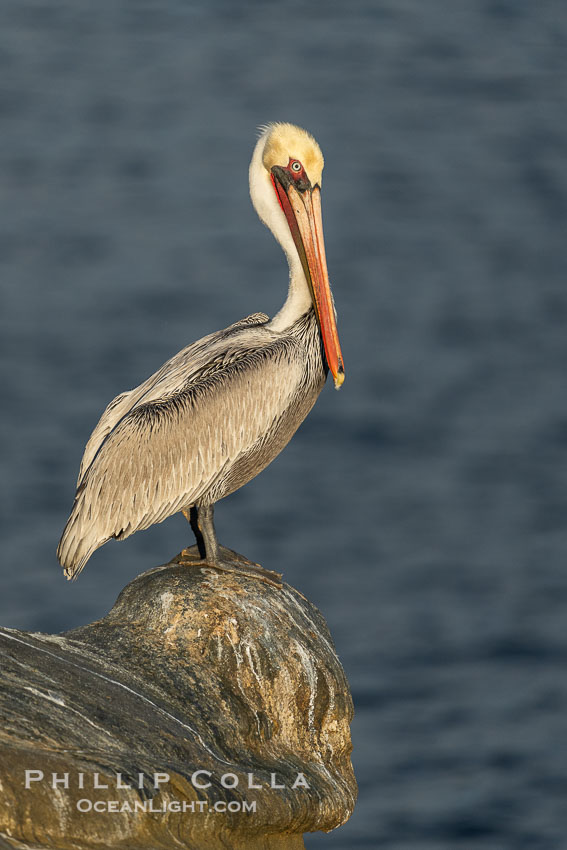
column 217, row 557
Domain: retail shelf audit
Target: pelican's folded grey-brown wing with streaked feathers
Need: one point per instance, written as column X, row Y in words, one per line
column 173, row 444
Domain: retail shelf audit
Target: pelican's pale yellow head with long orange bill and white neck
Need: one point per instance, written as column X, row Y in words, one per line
column 285, row 187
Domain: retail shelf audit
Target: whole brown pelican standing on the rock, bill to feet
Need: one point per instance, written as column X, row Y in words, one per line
column 220, row 411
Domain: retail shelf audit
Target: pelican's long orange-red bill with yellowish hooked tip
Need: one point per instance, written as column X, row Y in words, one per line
column 303, row 213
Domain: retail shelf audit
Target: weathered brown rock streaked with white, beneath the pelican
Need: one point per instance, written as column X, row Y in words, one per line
column 192, row 670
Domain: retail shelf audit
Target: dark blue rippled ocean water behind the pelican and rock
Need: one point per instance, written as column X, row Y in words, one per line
column 423, row 507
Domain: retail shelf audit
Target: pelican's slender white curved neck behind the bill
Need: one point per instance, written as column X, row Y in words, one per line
column 271, row 214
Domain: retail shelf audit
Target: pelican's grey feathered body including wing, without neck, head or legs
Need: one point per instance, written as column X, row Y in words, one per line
column 207, row 422
